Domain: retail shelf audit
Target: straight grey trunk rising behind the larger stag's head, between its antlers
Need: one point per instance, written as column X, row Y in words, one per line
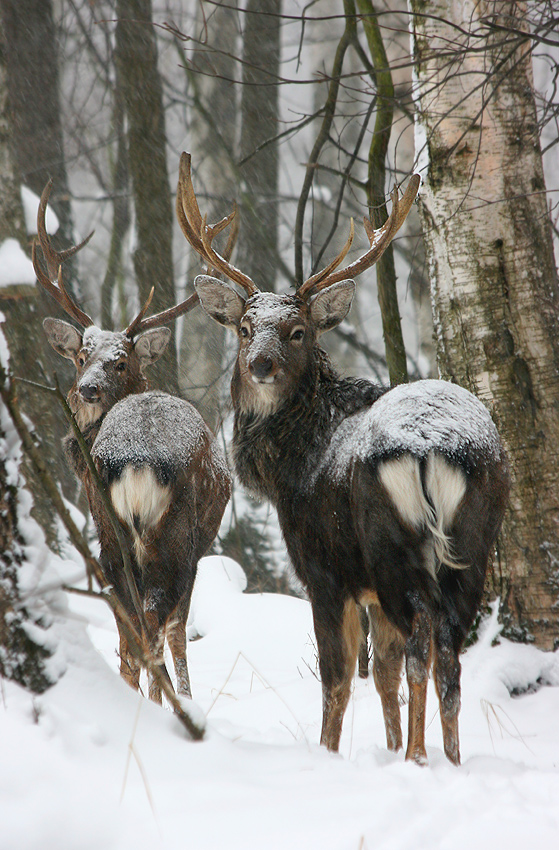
column 259, row 116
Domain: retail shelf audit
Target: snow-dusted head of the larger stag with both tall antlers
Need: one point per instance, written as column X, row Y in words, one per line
column 277, row 333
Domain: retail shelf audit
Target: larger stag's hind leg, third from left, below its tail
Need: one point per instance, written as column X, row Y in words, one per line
column 418, row 659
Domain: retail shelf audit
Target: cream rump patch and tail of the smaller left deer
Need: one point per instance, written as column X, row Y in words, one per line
column 140, row 500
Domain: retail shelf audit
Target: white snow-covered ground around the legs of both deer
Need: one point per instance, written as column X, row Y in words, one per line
column 90, row 765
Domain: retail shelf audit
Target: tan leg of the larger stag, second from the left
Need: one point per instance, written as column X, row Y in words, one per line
column 388, row 657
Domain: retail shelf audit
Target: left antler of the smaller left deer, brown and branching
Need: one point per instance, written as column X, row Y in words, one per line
column 54, row 260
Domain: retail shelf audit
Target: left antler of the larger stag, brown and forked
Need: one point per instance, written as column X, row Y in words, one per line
column 200, row 234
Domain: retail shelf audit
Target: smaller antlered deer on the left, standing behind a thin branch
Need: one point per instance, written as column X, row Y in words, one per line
column 163, row 469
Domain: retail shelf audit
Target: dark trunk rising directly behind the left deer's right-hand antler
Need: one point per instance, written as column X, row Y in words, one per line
column 136, row 58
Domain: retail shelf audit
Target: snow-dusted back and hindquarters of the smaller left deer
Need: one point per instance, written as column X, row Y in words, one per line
column 161, row 465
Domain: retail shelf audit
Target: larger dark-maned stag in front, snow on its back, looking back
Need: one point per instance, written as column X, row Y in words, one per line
column 390, row 499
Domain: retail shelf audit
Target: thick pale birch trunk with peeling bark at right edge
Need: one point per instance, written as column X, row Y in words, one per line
column 493, row 277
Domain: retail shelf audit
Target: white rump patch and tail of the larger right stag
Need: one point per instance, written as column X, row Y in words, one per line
column 435, row 507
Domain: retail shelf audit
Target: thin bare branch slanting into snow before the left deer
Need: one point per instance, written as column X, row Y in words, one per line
column 195, row 729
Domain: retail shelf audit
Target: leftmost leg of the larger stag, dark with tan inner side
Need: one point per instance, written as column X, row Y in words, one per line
column 338, row 638
